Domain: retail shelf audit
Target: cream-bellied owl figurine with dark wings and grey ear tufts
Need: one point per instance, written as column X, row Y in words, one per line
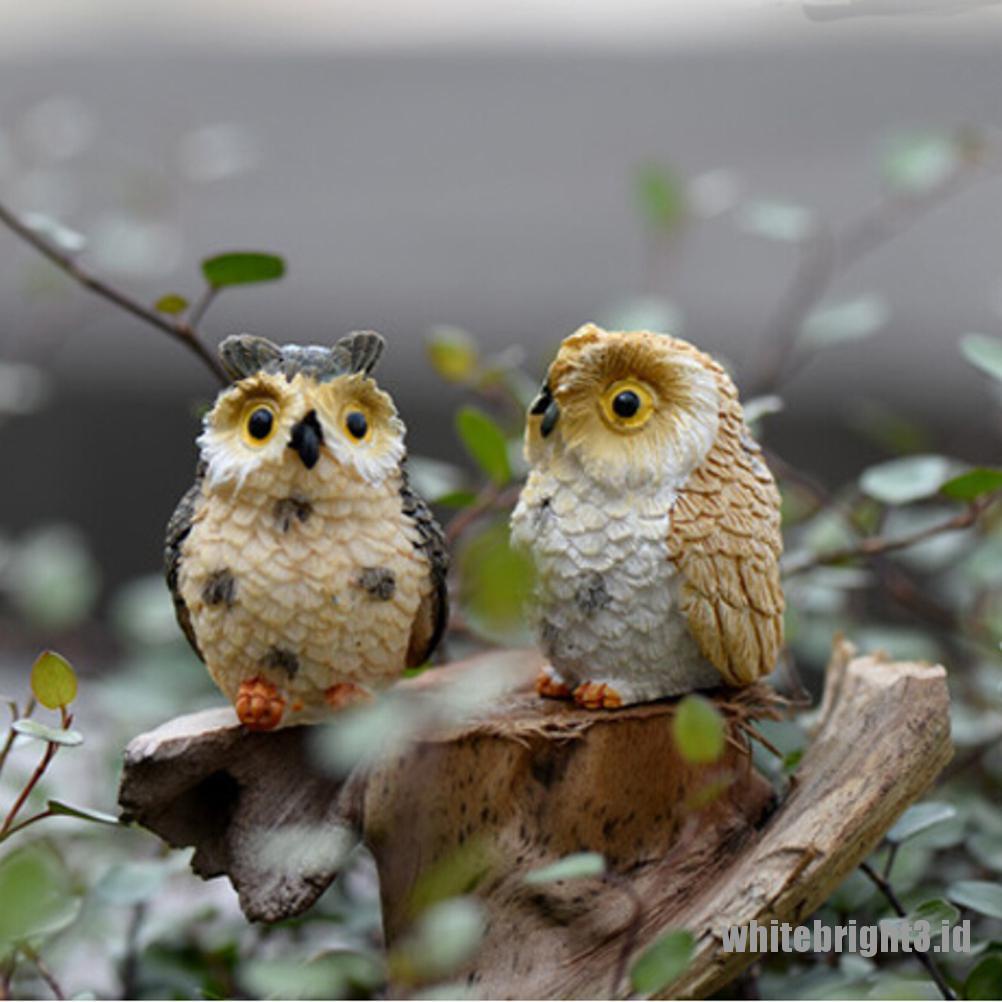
column 304, row 570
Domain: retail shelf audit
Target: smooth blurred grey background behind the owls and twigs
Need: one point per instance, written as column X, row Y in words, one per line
column 469, row 165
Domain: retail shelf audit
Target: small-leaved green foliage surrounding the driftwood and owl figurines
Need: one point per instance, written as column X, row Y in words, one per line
column 880, row 557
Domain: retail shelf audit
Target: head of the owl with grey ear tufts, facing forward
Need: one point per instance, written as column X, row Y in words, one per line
column 294, row 411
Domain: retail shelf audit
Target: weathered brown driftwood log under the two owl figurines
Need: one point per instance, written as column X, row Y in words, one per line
column 528, row 782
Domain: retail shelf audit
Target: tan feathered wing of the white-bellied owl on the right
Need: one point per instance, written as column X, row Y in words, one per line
column 726, row 543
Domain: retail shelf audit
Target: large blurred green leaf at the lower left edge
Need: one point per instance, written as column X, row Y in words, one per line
column 35, row 889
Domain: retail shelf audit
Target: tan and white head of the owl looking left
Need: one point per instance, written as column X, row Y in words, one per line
column 630, row 407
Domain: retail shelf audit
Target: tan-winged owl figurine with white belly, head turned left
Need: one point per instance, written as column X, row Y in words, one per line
column 653, row 522
